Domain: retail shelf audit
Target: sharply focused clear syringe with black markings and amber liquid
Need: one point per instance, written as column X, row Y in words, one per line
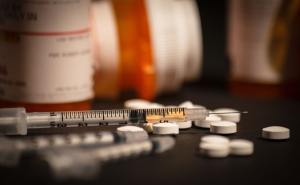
column 15, row 121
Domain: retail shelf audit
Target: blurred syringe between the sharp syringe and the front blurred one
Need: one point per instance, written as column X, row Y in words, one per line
column 12, row 149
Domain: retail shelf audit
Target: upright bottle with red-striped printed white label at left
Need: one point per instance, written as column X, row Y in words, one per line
column 46, row 59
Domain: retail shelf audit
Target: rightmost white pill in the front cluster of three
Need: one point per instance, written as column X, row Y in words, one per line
column 241, row 147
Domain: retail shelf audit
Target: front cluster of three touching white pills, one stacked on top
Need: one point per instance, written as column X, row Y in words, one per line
column 217, row 146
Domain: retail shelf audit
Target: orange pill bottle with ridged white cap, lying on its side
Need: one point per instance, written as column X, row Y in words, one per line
column 149, row 46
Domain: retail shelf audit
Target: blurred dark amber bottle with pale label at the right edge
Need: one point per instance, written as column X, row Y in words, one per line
column 263, row 47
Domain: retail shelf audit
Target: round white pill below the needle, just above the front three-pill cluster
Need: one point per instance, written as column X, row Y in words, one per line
column 223, row 127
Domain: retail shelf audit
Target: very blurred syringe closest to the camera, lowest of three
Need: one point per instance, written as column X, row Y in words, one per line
column 85, row 164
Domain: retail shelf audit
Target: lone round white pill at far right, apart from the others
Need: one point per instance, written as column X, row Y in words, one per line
column 275, row 132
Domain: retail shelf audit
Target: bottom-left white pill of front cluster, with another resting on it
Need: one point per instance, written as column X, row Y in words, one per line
column 213, row 150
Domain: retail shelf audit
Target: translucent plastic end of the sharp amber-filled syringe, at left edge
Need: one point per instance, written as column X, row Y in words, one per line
column 13, row 121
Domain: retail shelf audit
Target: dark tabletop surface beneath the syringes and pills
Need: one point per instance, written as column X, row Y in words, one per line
column 273, row 162
